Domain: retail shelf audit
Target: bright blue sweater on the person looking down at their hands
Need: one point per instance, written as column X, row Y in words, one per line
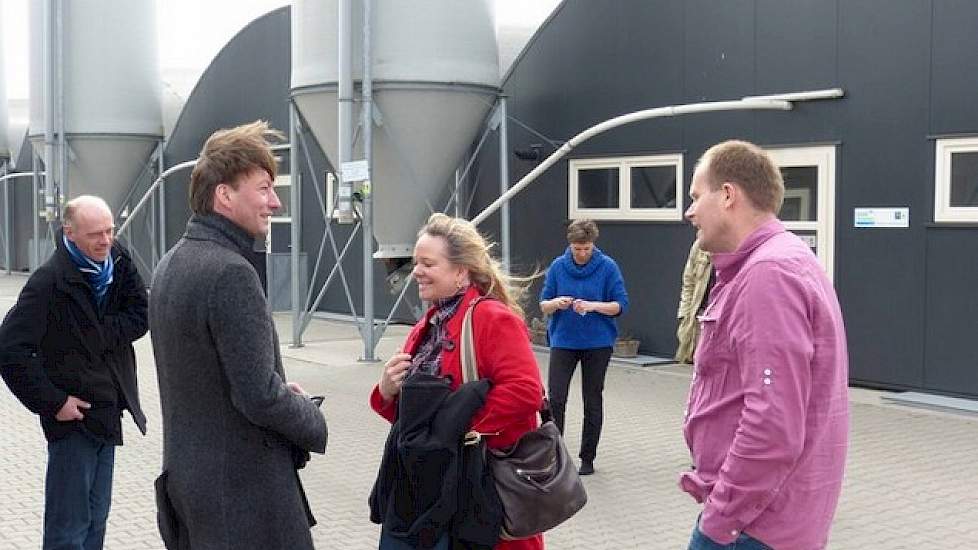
column 599, row 280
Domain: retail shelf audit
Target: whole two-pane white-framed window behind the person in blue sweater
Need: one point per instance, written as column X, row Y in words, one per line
column 644, row 188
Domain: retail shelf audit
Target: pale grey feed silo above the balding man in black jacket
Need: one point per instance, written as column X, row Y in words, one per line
column 98, row 79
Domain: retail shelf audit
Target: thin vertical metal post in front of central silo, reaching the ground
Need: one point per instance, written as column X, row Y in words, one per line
column 369, row 334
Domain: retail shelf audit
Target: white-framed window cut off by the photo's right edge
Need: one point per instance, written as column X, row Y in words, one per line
column 956, row 180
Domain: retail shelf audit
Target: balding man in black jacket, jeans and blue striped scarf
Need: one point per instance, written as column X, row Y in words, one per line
column 66, row 353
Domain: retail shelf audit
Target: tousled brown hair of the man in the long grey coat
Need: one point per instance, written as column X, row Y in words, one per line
column 229, row 154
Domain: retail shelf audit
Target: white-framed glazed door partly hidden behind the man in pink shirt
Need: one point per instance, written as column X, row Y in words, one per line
column 809, row 197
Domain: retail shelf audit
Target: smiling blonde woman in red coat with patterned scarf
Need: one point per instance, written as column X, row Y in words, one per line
column 452, row 268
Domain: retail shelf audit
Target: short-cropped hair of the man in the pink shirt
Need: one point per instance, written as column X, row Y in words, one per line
column 748, row 166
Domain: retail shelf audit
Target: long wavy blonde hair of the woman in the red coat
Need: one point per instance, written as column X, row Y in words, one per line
column 469, row 249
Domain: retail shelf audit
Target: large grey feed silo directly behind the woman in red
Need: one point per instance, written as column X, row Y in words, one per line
column 434, row 77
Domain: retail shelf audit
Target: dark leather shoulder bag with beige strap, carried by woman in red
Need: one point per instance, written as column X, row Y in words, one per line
column 536, row 479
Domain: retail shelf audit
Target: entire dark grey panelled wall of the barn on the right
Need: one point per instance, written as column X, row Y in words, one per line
column 882, row 54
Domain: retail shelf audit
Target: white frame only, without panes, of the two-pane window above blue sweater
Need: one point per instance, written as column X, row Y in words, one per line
column 625, row 211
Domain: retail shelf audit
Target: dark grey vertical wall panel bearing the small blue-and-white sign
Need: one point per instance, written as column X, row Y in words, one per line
column 883, row 64
